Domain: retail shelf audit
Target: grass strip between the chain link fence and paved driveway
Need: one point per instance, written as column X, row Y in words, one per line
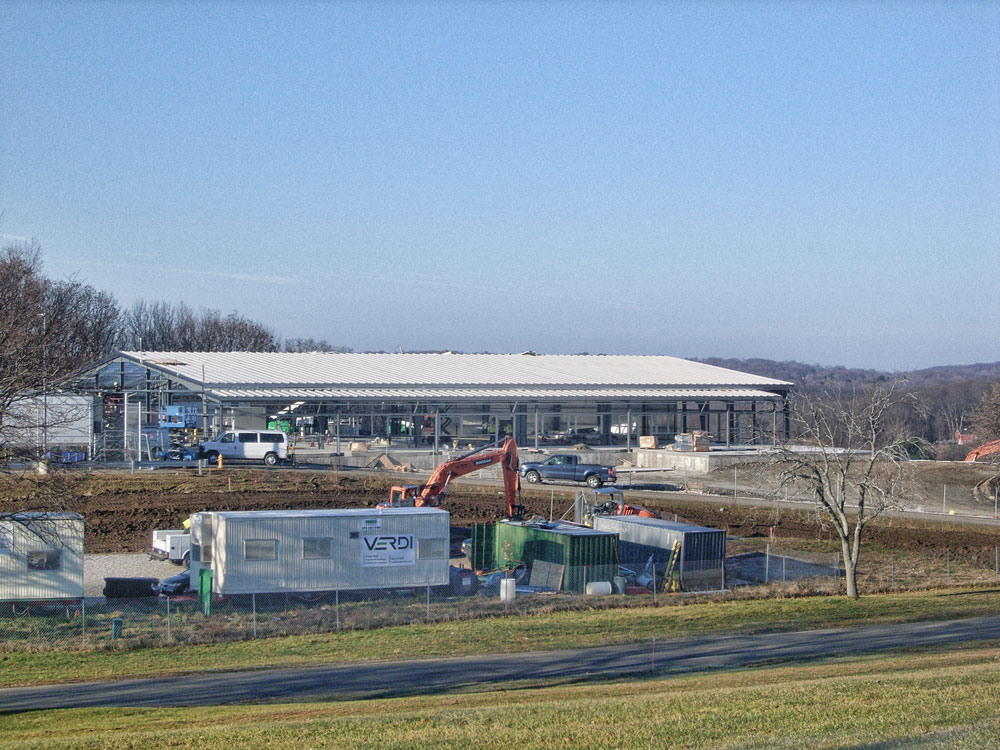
column 499, row 635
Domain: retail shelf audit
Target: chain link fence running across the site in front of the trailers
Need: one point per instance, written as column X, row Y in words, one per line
column 753, row 567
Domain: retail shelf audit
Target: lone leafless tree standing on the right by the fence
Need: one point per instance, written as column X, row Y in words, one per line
column 849, row 460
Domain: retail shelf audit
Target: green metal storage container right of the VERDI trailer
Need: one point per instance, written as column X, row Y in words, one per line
column 585, row 554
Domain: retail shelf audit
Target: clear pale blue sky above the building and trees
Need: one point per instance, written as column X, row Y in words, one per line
column 817, row 181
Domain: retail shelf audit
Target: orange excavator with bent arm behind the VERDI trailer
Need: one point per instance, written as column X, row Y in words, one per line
column 432, row 493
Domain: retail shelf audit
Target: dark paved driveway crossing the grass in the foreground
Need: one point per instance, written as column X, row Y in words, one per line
column 376, row 679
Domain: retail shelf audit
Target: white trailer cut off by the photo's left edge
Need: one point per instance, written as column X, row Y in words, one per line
column 41, row 556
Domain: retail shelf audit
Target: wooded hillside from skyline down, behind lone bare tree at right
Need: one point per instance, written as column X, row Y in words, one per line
column 941, row 401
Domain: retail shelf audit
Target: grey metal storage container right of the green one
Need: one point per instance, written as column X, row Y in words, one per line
column 703, row 550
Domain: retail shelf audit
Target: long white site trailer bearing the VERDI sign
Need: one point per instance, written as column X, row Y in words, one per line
column 257, row 552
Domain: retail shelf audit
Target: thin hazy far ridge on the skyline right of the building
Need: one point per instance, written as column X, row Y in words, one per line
column 819, row 376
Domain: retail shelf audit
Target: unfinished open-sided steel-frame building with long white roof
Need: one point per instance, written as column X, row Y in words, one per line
column 432, row 400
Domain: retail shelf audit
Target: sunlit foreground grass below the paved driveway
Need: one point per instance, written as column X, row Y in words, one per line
column 926, row 700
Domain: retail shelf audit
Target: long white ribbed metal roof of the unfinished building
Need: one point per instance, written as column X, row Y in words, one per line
column 489, row 373
